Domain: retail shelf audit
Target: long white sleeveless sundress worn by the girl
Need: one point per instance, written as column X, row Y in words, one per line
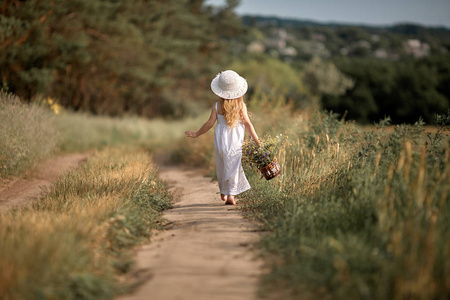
column 228, row 149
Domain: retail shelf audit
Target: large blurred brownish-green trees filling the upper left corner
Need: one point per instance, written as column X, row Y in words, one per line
column 110, row 57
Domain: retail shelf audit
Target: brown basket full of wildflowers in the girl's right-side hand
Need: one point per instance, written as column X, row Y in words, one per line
column 263, row 157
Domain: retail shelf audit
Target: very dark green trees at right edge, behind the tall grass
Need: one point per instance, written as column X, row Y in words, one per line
column 403, row 90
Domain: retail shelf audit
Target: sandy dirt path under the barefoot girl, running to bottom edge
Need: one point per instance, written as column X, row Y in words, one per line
column 207, row 253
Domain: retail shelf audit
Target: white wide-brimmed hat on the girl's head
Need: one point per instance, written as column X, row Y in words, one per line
column 229, row 85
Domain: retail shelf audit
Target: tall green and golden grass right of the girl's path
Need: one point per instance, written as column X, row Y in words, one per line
column 355, row 214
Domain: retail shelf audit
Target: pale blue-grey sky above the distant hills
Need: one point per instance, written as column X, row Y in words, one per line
column 368, row 12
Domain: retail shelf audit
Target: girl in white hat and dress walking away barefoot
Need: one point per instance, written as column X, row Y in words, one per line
column 232, row 121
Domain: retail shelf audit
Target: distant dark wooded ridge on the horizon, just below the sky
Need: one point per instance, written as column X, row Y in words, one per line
column 338, row 36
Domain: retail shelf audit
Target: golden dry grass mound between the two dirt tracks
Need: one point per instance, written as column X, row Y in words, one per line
column 74, row 243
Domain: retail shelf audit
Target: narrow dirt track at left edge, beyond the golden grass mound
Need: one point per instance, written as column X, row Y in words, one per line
column 22, row 191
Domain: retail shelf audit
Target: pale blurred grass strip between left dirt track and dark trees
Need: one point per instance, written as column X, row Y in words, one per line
column 32, row 132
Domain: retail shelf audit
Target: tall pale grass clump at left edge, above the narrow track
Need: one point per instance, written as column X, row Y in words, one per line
column 27, row 134
